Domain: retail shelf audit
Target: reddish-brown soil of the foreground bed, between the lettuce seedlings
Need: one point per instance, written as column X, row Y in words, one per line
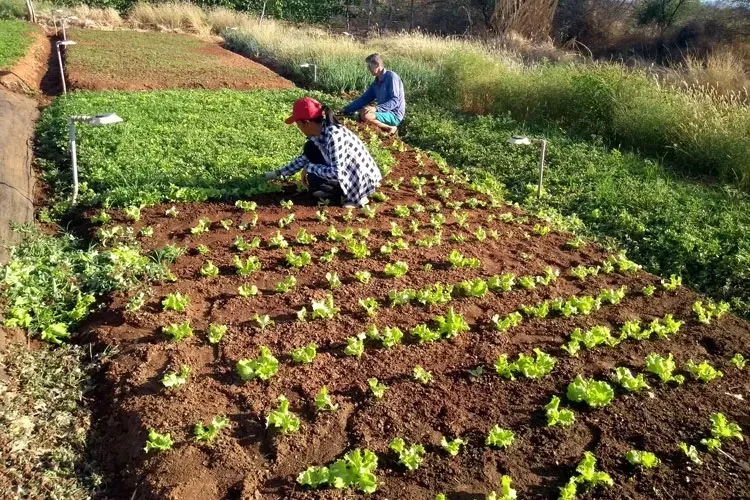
column 247, row 460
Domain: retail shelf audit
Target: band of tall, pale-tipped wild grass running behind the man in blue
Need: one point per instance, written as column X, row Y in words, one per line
column 693, row 131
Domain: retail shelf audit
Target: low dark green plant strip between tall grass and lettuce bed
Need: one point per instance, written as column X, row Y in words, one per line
column 668, row 224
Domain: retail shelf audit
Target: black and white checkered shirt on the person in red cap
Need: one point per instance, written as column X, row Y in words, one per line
column 349, row 163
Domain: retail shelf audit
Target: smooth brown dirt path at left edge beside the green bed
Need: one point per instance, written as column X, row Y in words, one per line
column 18, row 114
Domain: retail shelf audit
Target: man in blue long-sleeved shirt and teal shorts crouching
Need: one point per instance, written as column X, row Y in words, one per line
column 387, row 91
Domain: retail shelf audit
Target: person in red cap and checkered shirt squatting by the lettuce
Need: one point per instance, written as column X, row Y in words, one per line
column 335, row 163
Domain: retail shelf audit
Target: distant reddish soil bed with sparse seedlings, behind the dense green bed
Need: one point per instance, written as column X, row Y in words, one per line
column 132, row 60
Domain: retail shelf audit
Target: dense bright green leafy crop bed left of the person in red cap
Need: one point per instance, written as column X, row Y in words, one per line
column 172, row 145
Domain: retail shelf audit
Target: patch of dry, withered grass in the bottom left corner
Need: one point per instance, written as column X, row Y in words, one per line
column 43, row 424
